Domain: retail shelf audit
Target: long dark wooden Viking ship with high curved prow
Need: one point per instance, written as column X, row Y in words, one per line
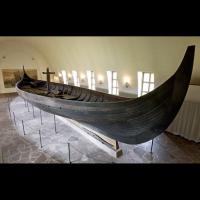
column 128, row 120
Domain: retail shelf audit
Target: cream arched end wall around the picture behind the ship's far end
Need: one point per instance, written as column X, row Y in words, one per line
column 18, row 54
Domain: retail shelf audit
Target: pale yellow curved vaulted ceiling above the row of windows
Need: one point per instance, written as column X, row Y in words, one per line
column 125, row 54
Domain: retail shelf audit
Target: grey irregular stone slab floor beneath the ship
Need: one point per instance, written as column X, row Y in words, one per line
column 15, row 147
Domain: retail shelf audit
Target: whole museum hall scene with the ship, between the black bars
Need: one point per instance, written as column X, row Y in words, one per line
column 99, row 99
